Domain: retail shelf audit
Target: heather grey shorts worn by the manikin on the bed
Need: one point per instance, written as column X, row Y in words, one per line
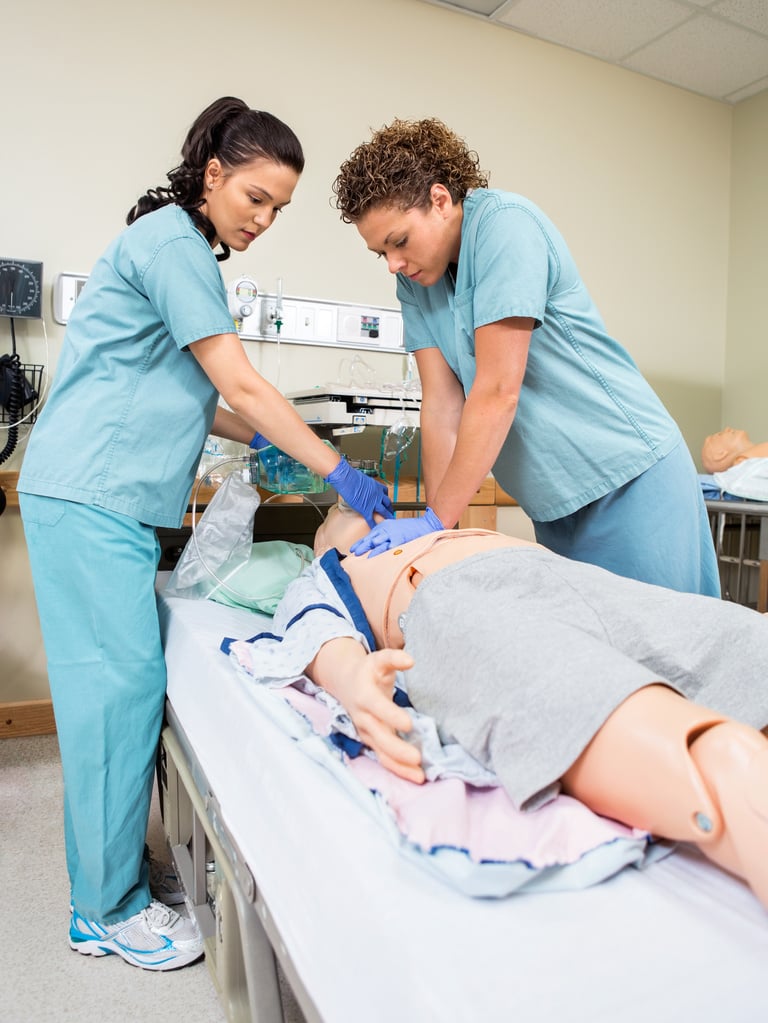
column 522, row 655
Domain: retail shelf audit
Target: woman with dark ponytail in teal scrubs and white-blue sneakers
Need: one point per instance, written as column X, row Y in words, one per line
column 150, row 348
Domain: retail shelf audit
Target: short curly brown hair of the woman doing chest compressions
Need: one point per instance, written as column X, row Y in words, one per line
column 401, row 164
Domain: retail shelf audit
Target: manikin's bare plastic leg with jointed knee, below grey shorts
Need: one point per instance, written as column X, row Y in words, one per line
column 684, row 773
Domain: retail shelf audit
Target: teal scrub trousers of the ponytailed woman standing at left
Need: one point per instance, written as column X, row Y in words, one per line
column 94, row 573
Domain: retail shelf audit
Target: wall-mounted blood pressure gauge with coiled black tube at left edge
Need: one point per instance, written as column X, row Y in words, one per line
column 21, row 384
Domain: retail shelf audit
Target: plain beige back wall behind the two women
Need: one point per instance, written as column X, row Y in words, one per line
column 635, row 172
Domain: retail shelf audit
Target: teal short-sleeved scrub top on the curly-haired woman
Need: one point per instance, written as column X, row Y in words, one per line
column 588, row 422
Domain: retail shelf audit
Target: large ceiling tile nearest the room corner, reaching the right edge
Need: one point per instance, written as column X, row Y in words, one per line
column 711, row 58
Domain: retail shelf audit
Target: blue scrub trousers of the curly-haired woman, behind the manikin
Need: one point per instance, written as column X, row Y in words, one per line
column 655, row 529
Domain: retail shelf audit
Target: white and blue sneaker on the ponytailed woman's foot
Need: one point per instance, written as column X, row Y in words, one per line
column 157, row 939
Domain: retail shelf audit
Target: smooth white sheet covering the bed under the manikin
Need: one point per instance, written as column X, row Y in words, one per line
column 375, row 938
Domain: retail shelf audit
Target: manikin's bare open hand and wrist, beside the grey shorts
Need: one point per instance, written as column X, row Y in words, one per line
column 364, row 684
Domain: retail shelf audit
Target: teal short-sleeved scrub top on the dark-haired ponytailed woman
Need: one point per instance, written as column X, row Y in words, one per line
column 130, row 408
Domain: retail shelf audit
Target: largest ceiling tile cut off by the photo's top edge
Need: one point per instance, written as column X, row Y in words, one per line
column 607, row 29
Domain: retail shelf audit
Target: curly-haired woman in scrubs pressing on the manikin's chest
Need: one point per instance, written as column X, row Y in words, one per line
column 519, row 373
